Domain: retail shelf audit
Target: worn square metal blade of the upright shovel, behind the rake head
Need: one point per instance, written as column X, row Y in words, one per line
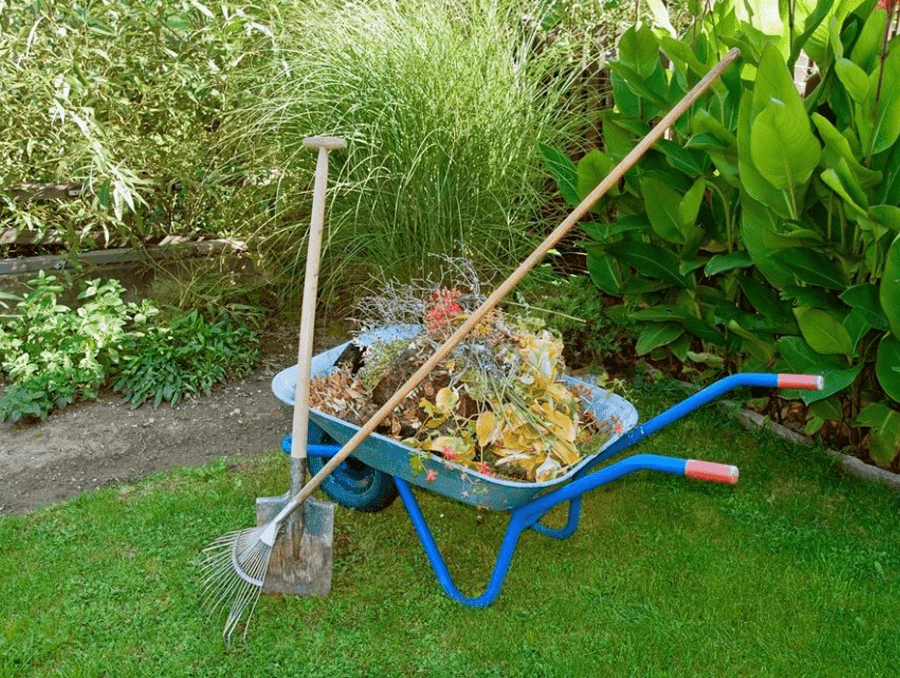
column 302, row 554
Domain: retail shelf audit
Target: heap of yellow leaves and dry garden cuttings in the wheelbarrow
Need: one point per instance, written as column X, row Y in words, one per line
column 497, row 404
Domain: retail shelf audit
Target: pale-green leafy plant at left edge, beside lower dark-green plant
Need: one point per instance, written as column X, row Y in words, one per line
column 54, row 355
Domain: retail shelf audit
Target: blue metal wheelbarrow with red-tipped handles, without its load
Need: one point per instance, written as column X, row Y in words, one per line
column 379, row 468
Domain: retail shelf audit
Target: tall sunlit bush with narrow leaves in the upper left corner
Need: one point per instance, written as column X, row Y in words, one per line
column 126, row 96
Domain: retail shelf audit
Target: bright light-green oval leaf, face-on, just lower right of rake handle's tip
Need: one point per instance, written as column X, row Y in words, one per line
column 783, row 148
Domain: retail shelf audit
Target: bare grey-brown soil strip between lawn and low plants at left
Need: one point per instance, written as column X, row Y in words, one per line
column 91, row 445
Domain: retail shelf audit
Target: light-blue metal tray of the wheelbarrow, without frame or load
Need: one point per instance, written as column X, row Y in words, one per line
column 451, row 479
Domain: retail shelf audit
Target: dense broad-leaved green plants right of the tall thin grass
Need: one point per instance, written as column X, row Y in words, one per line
column 765, row 230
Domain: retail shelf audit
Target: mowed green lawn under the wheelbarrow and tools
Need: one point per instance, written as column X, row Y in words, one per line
column 793, row 572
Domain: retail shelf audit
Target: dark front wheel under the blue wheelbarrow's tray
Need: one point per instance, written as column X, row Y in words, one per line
column 353, row 484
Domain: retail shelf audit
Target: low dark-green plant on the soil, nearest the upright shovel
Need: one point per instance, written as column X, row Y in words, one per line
column 189, row 355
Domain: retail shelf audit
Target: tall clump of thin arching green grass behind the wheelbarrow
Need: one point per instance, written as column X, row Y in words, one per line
column 443, row 104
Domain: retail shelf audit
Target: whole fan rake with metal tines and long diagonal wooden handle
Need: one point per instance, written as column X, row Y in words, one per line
column 246, row 553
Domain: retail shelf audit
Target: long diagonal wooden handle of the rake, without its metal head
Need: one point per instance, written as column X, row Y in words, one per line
column 444, row 350
